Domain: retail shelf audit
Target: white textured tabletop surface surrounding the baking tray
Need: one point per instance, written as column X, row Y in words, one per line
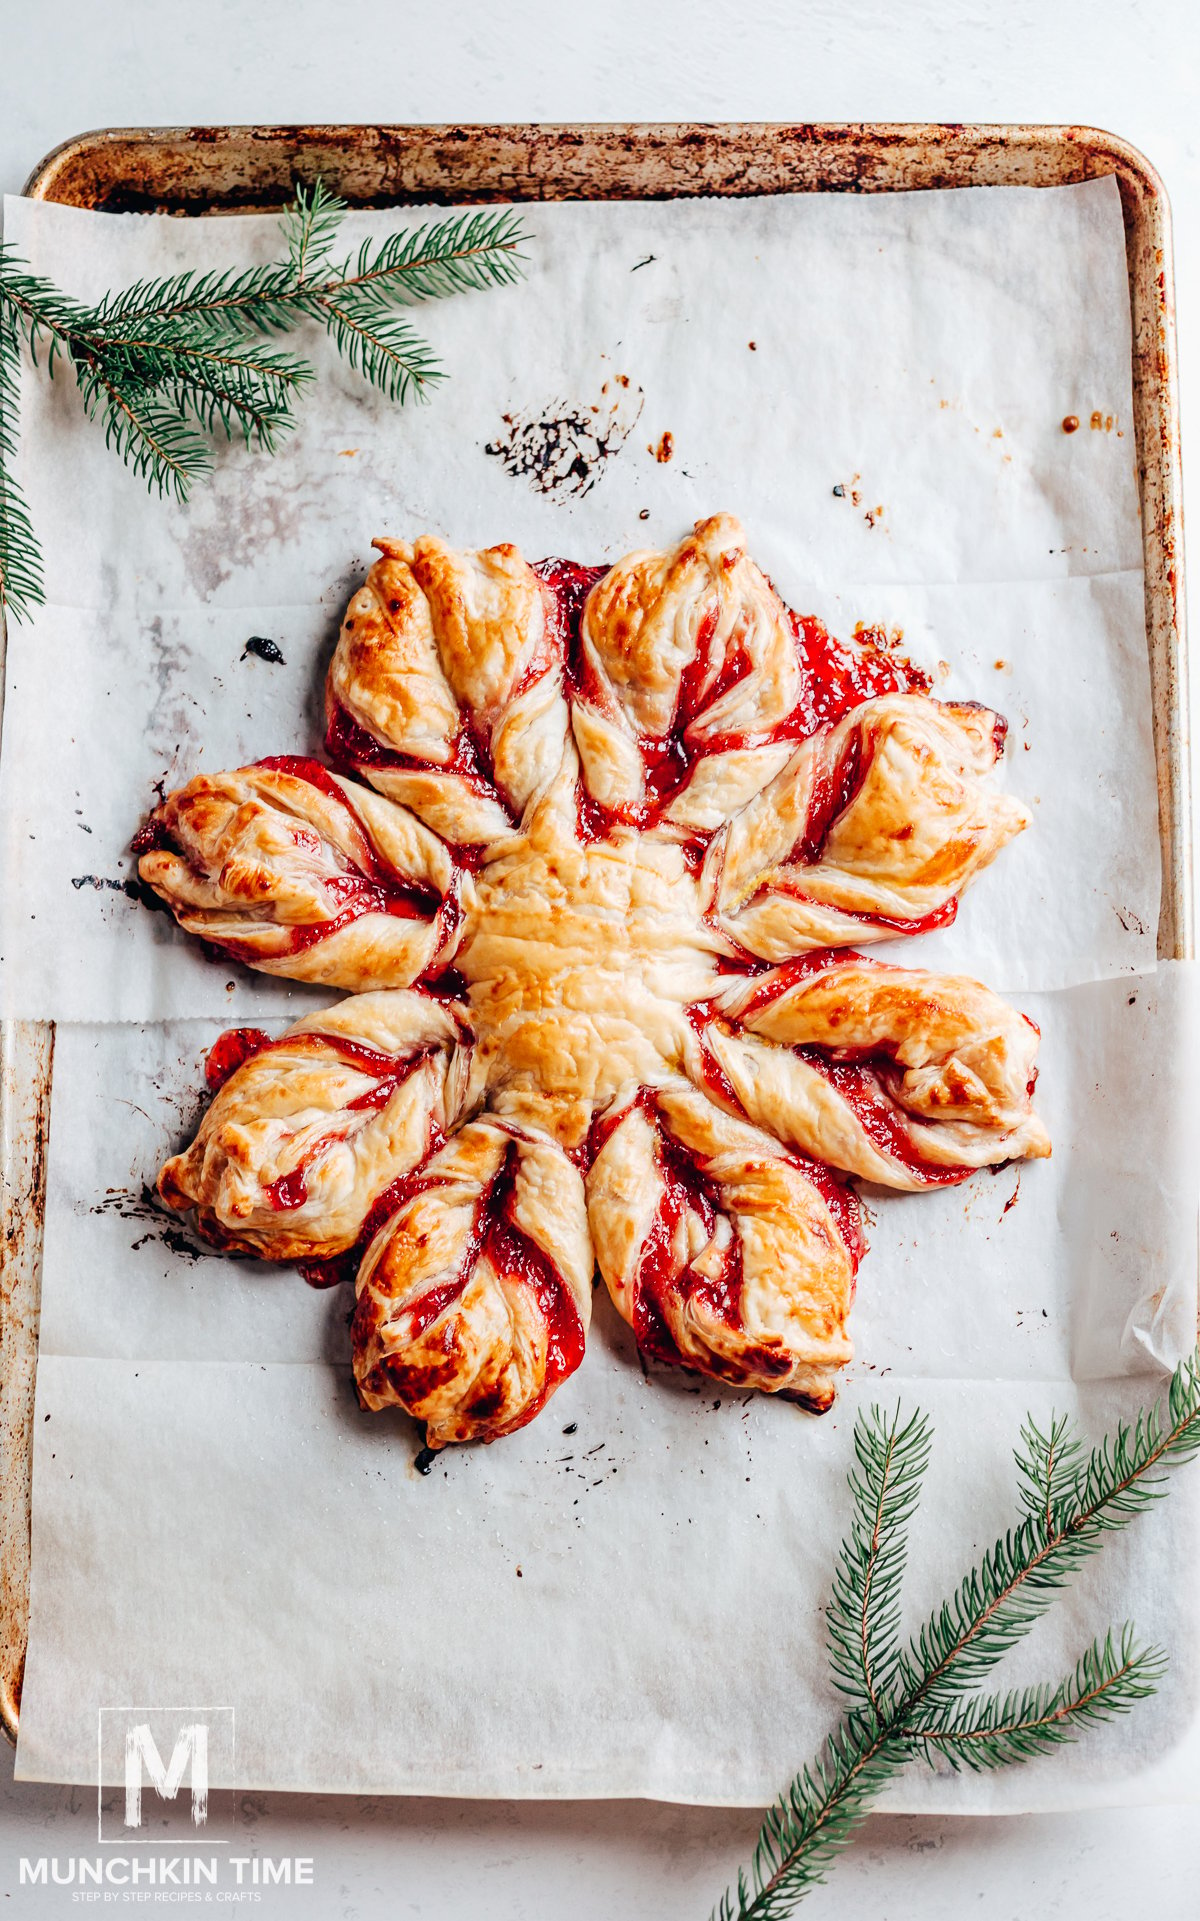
column 1132, row 66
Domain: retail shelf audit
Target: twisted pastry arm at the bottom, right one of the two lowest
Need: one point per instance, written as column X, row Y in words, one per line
column 723, row 1252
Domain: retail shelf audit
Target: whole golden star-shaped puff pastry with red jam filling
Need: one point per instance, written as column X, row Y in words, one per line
column 612, row 839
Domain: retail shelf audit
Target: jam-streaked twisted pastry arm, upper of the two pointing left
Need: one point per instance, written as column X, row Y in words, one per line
column 300, row 873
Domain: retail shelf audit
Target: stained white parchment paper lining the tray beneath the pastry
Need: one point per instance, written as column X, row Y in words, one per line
column 636, row 1607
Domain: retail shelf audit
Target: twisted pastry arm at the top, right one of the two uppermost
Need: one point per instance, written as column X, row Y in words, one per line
column 688, row 662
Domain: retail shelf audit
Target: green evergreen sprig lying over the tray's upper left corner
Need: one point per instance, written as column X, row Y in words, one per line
column 168, row 366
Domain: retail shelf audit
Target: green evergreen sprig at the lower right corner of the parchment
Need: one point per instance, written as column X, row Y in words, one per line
column 924, row 1699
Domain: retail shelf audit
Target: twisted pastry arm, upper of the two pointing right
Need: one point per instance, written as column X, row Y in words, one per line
column 875, row 829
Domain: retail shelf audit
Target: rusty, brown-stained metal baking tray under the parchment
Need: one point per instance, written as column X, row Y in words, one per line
column 241, row 170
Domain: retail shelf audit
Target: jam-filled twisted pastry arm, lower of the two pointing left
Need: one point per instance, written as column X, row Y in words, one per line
column 314, row 1132
